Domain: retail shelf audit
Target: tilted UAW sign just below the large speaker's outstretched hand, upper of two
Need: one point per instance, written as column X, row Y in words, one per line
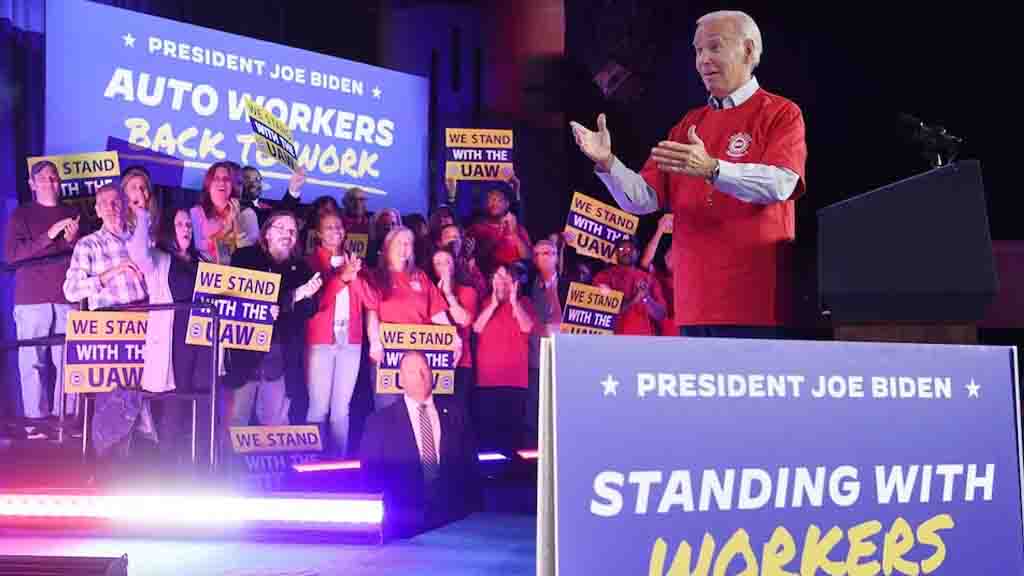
column 596, row 227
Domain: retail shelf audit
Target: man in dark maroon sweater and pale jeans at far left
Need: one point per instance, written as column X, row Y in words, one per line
column 44, row 229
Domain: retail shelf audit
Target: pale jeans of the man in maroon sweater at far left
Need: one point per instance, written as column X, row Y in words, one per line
column 37, row 321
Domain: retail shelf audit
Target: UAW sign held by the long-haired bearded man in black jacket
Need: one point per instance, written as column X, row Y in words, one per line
column 243, row 299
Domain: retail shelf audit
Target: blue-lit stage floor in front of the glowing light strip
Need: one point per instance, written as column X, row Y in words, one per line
column 485, row 544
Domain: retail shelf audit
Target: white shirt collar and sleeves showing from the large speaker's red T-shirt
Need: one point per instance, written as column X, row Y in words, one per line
column 756, row 184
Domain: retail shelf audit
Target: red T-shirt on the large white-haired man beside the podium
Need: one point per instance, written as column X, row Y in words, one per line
column 733, row 258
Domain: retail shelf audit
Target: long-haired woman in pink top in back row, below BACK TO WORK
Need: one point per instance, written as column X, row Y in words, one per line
column 218, row 229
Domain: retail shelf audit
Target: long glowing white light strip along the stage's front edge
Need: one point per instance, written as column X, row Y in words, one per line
column 173, row 510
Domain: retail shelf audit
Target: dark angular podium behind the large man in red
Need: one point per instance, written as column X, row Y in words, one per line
column 910, row 262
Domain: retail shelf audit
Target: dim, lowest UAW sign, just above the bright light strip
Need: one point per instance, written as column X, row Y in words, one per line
column 266, row 455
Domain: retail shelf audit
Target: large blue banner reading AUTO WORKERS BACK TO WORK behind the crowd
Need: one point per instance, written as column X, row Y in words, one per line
column 181, row 90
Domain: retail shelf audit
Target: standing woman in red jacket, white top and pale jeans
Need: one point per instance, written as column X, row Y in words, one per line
column 335, row 332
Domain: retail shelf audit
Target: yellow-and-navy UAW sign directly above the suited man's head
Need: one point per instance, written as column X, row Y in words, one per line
column 437, row 343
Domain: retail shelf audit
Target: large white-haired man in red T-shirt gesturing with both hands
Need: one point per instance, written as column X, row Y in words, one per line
column 731, row 173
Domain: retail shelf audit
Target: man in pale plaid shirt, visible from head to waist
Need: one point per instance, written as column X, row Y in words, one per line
column 101, row 270
